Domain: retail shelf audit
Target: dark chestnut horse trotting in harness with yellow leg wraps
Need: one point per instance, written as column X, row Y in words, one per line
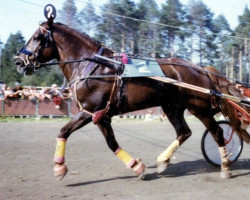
column 102, row 93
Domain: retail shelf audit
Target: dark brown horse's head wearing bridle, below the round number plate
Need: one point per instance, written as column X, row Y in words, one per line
column 40, row 48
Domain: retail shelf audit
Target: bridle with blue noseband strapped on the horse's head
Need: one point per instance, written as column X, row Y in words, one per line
column 31, row 57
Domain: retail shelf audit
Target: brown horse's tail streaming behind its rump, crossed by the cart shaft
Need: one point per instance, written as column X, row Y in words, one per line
column 223, row 85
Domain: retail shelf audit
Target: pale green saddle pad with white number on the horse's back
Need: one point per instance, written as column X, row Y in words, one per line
column 142, row 68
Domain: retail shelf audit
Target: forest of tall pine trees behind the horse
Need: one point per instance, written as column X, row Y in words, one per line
column 143, row 28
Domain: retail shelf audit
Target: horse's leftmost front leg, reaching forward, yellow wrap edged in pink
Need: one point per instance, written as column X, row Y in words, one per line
column 78, row 121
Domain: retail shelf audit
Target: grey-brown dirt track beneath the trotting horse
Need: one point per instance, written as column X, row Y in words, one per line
column 95, row 173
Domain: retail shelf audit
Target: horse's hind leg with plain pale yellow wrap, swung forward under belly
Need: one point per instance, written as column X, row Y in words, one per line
column 175, row 115
